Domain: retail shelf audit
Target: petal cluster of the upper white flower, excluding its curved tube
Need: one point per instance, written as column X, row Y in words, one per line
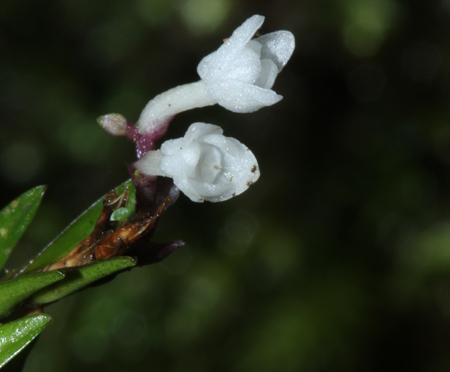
column 241, row 73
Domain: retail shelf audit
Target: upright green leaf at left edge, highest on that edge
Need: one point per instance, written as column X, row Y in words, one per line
column 15, row 218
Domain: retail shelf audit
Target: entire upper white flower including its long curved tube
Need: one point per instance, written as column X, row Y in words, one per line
column 238, row 76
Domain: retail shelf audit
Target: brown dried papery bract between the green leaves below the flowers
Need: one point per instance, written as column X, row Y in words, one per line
column 106, row 243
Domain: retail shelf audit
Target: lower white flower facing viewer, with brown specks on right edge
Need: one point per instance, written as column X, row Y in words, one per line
column 204, row 164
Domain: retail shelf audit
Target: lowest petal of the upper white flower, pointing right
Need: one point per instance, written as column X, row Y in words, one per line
column 241, row 97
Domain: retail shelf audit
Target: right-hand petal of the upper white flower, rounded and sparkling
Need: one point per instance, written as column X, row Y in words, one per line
column 277, row 46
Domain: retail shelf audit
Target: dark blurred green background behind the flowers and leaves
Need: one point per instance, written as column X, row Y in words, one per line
column 337, row 259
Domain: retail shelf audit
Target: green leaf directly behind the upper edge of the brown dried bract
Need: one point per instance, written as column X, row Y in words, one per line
column 72, row 235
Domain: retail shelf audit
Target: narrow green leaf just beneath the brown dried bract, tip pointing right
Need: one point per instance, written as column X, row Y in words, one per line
column 77, row 278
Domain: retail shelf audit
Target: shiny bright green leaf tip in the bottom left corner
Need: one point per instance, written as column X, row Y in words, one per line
column 14, row 336
